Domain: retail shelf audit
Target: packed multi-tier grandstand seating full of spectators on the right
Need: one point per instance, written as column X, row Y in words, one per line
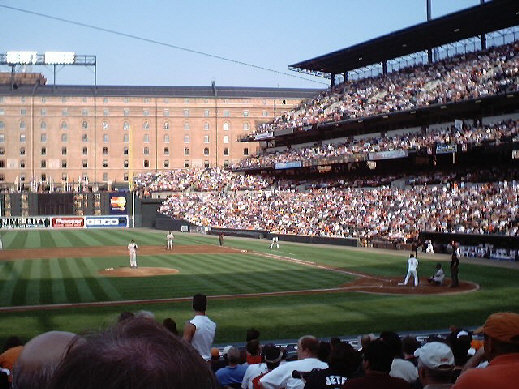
column 394, row 205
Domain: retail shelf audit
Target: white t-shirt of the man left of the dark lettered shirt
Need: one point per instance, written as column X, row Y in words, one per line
column 281, row 377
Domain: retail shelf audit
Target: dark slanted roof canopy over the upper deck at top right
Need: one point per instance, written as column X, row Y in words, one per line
column 482, row 19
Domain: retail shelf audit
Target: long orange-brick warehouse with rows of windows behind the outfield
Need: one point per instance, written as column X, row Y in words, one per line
column 106, row 134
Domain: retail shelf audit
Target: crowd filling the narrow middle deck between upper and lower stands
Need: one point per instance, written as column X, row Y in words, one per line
column 462, row 137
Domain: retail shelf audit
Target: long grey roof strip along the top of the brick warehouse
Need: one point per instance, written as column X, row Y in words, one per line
column 162, row 91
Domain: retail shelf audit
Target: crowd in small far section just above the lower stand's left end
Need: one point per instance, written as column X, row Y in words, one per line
column 199, row 180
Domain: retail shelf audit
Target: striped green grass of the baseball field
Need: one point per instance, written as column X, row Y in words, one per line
column 76, row 280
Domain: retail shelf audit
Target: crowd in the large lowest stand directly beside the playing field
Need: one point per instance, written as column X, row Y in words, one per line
column 364, row 213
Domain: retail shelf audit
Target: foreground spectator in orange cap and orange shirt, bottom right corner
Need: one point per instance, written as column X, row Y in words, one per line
column 501, row 331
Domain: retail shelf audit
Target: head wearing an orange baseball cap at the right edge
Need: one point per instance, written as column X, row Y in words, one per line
column 501, row 331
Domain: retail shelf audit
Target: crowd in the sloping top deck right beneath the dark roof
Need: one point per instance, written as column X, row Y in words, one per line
column 463, row 77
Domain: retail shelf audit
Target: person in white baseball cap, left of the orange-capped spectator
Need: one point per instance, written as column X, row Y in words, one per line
column 435, row 365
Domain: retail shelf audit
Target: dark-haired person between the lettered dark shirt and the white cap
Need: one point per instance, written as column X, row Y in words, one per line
column 377, row 364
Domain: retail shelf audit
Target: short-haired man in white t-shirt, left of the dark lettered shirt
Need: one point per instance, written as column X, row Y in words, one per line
column 281, row 377
